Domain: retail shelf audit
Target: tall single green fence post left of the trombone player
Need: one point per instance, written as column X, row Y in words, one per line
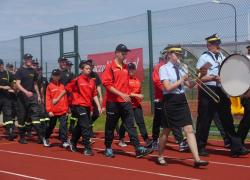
column 150, row 50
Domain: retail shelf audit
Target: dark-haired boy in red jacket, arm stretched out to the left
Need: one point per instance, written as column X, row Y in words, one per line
column 81, row 105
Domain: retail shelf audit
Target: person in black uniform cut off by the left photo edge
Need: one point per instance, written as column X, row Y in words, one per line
column 5, row 100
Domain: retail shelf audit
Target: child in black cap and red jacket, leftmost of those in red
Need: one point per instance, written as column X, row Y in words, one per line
column 58, row 111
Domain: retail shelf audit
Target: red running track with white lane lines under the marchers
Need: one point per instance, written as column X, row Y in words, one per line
column 33, row 161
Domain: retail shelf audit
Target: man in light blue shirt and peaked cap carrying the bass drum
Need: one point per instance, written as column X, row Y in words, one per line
column 207, row 107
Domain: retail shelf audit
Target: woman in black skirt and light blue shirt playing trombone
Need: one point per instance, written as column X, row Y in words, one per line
column 177, row 113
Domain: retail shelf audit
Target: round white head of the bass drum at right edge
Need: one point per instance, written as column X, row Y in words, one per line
column 235, row 75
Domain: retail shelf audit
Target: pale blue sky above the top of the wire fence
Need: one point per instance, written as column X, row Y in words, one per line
column 24, row 17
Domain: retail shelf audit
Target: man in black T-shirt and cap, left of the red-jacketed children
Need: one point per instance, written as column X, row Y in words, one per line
column 28, row 98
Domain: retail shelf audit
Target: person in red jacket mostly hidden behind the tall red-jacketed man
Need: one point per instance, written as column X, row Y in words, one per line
column 136, row 98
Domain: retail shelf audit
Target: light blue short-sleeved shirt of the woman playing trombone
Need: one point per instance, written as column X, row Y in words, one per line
column 167, row 72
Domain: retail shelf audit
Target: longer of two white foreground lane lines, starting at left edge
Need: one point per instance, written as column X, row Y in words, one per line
column 100, row 165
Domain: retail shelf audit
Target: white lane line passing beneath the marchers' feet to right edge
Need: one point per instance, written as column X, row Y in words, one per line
column 180, row 159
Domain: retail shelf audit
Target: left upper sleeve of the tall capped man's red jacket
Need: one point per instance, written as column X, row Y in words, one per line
column 107, row 77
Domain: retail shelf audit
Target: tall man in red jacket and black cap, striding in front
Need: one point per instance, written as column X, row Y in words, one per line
column 115, row 79
